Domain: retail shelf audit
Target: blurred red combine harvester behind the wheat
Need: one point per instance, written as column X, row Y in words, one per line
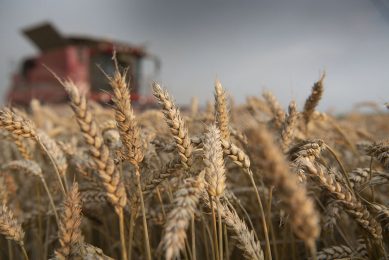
column 76, row 58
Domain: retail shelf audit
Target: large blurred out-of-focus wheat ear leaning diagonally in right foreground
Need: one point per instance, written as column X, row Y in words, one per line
column 303, row 216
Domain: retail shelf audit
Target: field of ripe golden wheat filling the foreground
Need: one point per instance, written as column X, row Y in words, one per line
column 225, row 182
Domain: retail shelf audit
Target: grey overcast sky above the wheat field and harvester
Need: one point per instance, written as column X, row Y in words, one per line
column 249, row 45
